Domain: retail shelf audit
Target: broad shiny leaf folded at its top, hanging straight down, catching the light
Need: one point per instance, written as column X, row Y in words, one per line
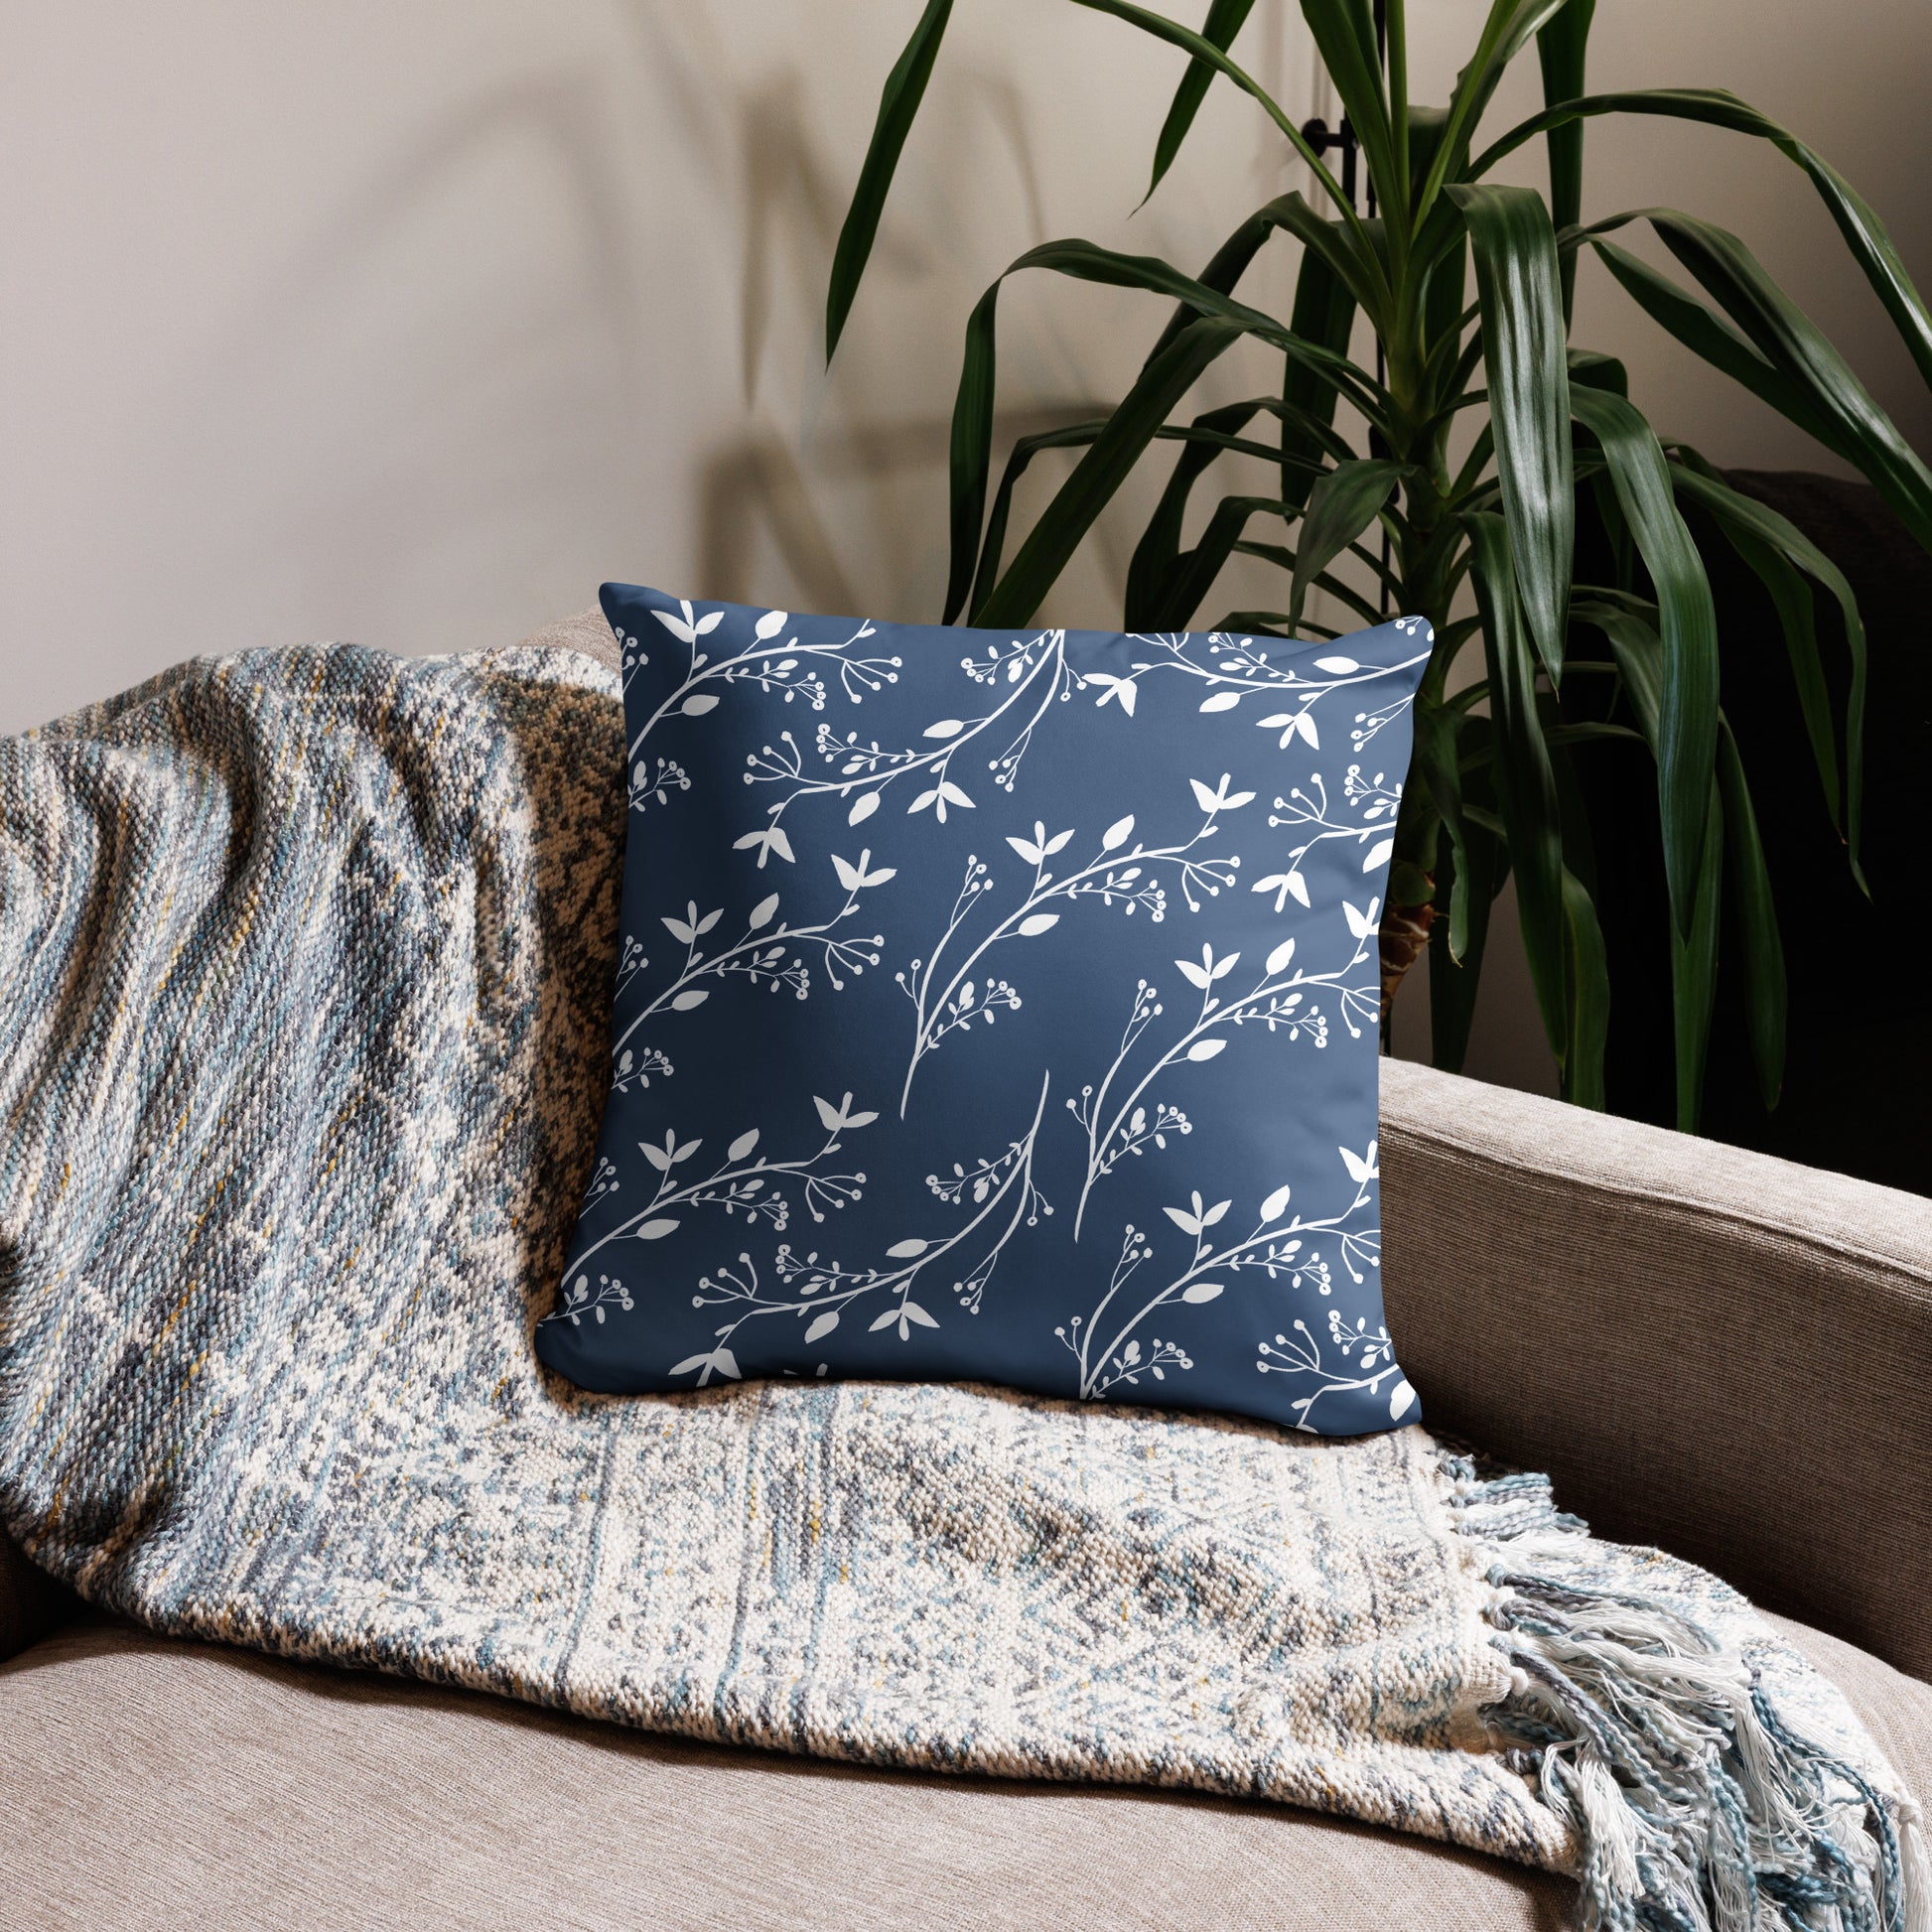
column 1523, row 345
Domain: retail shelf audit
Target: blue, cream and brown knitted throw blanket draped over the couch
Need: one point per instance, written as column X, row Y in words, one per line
column 306, row 963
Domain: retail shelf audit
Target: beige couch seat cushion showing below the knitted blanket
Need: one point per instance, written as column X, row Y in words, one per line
column 152, row 1784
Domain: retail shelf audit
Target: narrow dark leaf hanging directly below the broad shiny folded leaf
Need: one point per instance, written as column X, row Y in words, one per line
column 1525, row 783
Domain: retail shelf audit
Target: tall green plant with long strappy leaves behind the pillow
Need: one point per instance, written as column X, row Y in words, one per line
column 1463, row 287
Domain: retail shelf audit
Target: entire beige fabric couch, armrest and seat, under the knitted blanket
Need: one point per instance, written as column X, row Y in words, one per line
column 1709, row 1350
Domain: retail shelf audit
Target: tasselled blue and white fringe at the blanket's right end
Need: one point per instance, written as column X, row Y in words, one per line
column 1697, row 1805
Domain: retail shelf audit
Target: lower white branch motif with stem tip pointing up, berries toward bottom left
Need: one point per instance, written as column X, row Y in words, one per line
column 1004, row 1201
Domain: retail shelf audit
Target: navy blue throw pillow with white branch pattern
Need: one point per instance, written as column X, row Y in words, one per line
column 998, row 1006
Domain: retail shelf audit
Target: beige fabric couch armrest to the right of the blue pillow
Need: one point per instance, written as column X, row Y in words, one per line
column 1707, row 1350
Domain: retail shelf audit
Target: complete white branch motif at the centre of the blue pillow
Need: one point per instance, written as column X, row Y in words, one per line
column 1118, row 874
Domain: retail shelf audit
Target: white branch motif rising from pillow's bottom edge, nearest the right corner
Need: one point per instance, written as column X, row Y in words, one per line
column 1293, row 1249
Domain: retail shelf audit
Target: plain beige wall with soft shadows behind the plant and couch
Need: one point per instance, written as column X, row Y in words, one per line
column 412, row 320
